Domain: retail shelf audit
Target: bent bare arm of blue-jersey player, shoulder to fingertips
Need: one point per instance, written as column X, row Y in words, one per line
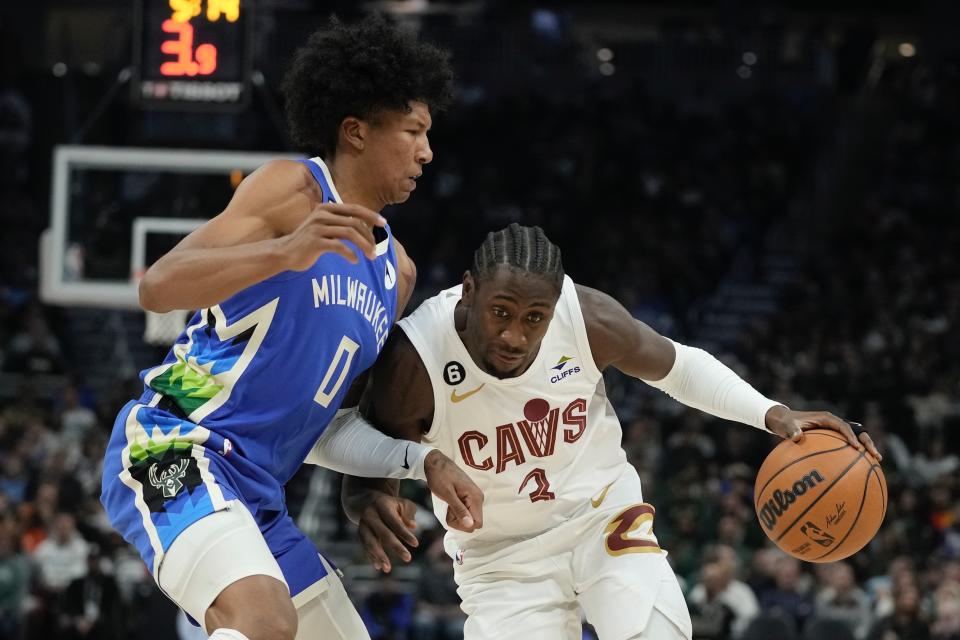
column 272, row 224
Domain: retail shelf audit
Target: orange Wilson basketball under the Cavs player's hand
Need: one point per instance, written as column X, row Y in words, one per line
column 820, row 500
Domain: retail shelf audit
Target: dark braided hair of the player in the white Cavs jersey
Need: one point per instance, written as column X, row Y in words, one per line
column 522, row 249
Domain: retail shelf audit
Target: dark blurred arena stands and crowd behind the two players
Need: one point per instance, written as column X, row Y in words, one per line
column 777, row 182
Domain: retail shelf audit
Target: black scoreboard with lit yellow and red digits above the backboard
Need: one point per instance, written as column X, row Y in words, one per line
column 193, row 54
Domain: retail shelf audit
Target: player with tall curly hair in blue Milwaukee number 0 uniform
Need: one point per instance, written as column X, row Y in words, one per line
column 298, row 282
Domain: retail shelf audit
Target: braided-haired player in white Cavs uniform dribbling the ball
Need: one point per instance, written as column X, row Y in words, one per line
column 504, row 375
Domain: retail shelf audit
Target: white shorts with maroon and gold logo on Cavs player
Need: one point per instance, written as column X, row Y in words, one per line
column 604, row 561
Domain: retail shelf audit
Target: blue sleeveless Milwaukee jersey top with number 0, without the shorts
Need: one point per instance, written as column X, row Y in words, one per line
column 268, row 367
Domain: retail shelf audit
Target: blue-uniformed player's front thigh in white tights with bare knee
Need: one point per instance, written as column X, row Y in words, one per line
column 222, row 561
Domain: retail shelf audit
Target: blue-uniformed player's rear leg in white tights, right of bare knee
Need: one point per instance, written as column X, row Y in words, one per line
column 329, row 615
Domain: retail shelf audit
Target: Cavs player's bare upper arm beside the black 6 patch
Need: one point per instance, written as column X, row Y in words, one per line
column 401, row 395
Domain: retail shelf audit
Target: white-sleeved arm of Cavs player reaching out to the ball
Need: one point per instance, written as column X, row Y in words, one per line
column 693, row 376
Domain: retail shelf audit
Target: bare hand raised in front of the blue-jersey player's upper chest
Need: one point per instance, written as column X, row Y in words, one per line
column 326, row 230
